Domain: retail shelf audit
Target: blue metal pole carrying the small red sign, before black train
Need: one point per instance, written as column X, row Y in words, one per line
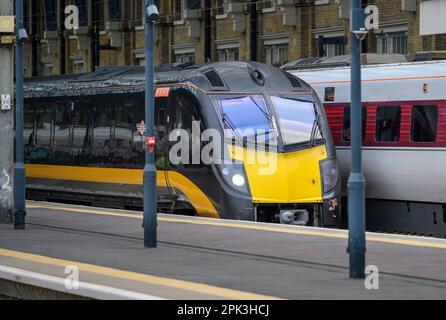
column 150, row 210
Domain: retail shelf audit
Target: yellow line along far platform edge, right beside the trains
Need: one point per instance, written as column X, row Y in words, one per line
column 227, row 224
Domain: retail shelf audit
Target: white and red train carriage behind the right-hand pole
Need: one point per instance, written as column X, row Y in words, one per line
column 404, row 133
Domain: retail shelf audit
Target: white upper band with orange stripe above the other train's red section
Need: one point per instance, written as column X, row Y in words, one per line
column 420, row 81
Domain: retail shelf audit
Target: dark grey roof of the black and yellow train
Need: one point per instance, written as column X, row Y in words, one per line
column 223, row 76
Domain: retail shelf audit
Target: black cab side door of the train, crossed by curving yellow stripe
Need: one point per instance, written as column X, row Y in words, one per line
column 185, row 170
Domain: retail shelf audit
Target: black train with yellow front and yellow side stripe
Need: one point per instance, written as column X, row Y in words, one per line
column 83, row 144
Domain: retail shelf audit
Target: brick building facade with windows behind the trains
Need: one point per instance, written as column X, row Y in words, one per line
column 111, row 32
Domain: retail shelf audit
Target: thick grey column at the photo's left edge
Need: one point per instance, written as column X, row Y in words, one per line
column 6, row 124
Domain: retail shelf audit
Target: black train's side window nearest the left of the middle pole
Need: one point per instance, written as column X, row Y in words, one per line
column 123, row 127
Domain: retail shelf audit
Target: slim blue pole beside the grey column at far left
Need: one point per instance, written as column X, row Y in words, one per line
column 20, row 209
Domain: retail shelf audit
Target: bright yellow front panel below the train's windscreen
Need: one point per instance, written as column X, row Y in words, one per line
column 284, row 177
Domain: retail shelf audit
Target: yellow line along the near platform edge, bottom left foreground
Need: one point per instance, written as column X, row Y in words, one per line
column 140, row 277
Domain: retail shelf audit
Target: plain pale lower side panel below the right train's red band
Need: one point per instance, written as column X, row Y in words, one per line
column 415, row 174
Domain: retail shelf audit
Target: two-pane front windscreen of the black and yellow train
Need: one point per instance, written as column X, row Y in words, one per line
column 291, row 121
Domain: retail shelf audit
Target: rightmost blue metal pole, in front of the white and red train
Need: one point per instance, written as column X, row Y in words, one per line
column 356, row 182
